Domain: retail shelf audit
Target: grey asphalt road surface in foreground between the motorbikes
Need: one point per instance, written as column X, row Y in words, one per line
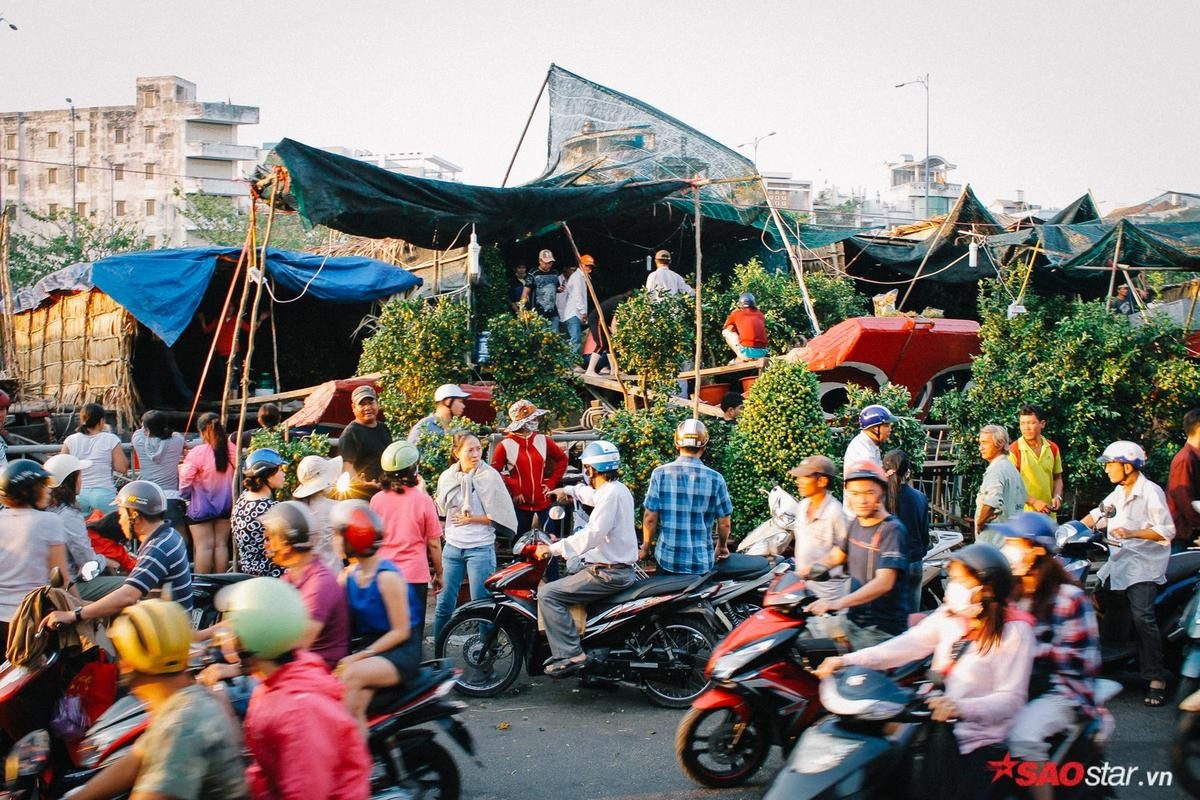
column 555, row 741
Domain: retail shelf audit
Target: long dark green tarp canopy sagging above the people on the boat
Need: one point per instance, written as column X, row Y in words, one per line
column 367, row 201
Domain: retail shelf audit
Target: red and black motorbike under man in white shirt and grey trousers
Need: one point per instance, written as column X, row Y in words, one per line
column 657, row 635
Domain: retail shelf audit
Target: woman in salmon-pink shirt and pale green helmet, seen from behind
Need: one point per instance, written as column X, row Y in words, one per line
column 412, row 532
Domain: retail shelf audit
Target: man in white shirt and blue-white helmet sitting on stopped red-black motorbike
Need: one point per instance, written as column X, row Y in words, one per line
column 608, row 545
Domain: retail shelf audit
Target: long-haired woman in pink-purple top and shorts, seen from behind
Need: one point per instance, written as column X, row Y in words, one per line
column 206, row 482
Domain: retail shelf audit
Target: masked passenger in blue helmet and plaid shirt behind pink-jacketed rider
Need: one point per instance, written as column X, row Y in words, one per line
column 1067, row 654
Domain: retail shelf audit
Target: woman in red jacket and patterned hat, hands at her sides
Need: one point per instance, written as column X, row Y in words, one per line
column 531, row 462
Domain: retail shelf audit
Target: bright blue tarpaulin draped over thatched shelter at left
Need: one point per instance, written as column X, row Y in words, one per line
column 163, row 288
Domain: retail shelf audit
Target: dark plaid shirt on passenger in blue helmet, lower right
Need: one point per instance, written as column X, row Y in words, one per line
column 1067, row 648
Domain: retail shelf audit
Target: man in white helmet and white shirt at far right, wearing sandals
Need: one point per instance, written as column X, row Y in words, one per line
column 1142, row 531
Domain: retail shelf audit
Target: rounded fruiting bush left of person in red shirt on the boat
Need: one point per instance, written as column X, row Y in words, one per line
column 653, row 339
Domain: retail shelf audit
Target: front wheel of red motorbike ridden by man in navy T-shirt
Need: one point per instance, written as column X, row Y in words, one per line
column 706, row 749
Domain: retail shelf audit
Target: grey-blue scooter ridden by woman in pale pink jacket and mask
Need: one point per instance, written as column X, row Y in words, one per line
column 873, row 745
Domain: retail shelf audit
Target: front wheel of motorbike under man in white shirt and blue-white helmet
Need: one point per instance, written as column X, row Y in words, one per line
column 487, row 671
